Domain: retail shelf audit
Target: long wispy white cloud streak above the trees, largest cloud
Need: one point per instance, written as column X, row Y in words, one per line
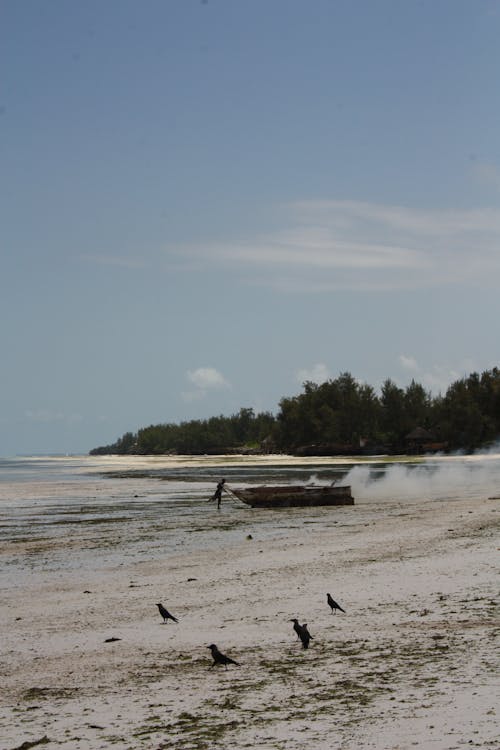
column 356, row 245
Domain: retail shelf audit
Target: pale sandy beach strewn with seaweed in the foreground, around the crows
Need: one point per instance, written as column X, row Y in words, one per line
column 413, row 662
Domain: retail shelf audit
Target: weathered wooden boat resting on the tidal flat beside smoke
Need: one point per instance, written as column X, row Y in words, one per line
column 294, row 495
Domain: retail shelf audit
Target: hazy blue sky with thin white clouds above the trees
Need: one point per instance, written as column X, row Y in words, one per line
column 206, row 203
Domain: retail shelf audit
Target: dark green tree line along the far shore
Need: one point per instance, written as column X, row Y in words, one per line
column 339, row 416
